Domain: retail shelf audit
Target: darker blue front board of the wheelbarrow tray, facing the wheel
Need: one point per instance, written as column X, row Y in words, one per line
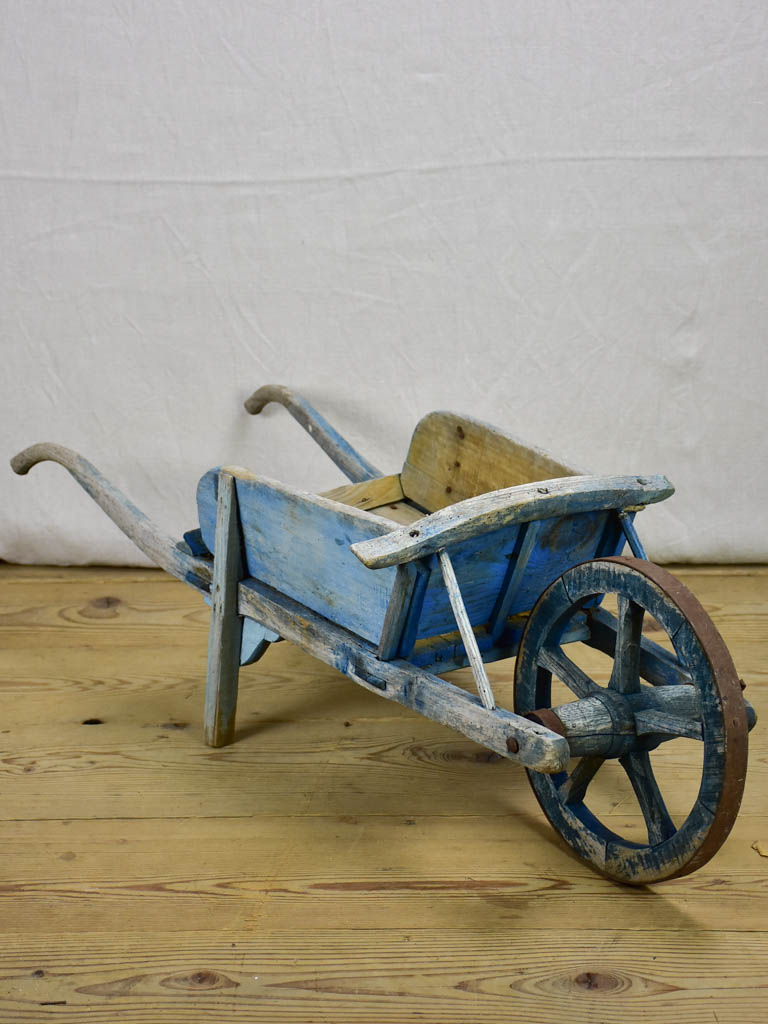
column 482, row 563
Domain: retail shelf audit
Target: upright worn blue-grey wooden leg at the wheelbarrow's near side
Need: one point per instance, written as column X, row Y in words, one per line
column 227, row 626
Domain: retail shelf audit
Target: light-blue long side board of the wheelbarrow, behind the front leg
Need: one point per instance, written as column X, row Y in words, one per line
column 303, row 549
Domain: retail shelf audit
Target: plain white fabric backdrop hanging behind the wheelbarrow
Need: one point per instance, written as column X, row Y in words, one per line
column 549, row 216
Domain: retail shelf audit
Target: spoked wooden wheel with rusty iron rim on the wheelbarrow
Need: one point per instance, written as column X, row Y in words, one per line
column 654, row 696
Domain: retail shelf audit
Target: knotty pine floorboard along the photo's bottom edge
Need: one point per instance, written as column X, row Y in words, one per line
column 389, row 977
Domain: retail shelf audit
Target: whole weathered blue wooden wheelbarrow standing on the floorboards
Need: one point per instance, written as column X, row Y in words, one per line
column 481, row 549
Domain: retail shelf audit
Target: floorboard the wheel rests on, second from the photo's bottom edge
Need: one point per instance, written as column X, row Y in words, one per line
column 417, row 873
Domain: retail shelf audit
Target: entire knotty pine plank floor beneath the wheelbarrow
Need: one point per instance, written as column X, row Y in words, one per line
column 346, row 861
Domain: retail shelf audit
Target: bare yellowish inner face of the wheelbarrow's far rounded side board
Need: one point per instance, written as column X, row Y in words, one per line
column 455, row 457
